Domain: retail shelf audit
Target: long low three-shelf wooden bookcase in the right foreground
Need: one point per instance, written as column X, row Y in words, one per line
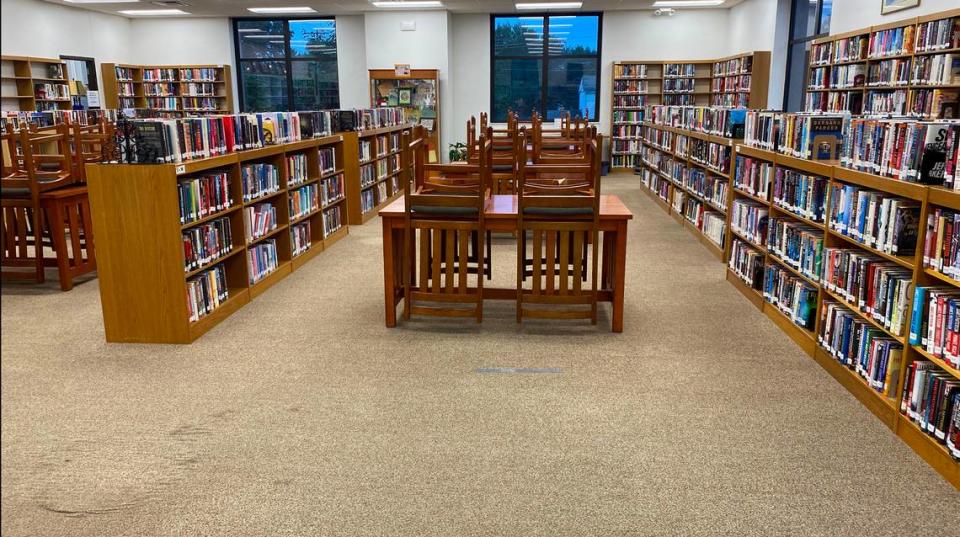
column 806, row 292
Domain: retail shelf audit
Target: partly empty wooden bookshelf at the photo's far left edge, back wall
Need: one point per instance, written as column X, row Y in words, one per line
column 24, row 81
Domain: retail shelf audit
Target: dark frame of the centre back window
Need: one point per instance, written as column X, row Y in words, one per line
column 545, row 56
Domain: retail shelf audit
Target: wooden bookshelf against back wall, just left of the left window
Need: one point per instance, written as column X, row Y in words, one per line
column 194, row 89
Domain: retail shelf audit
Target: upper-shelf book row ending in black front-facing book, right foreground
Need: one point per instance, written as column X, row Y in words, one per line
column 875, row 219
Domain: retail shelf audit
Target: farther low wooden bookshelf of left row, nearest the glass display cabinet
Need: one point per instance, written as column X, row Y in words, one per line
column 366, row 197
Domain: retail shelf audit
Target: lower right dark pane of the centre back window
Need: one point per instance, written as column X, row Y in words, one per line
column 571, row 87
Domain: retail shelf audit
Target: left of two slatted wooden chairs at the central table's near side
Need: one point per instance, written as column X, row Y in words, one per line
column 443, row 218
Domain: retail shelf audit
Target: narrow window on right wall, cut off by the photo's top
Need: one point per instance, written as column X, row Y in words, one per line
column 809, row 19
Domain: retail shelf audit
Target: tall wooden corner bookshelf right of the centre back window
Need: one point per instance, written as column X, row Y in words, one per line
column 739, row 80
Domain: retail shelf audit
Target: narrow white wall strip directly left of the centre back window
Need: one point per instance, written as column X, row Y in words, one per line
column 470, row 69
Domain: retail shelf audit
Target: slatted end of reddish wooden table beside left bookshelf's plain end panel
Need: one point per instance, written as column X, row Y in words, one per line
column 67, row 212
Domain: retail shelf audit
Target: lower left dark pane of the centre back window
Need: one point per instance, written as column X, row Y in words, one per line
column 516, row 86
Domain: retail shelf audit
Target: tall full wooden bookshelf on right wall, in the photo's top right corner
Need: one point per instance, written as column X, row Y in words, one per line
column 833, row 72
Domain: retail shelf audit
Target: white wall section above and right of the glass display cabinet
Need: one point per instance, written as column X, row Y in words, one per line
column 428, row 47
